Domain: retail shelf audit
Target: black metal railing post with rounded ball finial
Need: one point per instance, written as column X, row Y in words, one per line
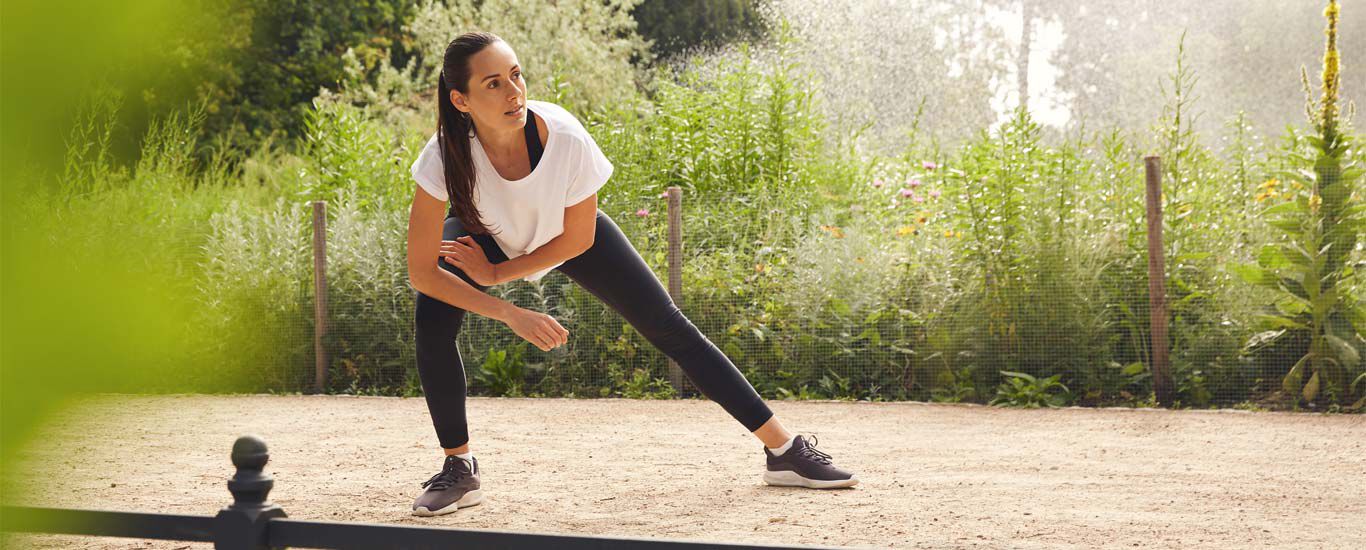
column 242, row 526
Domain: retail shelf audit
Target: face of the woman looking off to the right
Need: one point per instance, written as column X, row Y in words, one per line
column 497, row 88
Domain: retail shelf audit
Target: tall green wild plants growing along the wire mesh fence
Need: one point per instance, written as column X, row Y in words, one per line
column 935, row 275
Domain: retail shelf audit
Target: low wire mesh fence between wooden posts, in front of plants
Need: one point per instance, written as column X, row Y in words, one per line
column 930, row 301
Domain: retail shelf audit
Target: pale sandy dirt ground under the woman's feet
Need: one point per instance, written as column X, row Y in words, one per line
column 932, row 476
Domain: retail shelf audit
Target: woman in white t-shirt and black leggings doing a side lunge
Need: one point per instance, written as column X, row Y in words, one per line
column 533, row 171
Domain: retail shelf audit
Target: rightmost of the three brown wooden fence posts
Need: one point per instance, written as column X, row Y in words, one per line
column 1158, row 282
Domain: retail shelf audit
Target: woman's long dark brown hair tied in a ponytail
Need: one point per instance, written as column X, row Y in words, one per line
column 456, row 129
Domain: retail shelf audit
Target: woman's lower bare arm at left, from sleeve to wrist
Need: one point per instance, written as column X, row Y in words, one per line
column 427, row 276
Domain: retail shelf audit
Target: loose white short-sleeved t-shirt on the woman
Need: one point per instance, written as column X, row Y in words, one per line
column 529, row 212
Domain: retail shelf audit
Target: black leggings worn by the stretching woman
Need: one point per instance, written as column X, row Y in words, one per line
column 615, row 274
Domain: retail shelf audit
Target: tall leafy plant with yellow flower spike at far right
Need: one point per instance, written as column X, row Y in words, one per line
column 1309, row 268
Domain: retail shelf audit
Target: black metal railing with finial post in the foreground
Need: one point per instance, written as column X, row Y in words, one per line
column 253, row 522
